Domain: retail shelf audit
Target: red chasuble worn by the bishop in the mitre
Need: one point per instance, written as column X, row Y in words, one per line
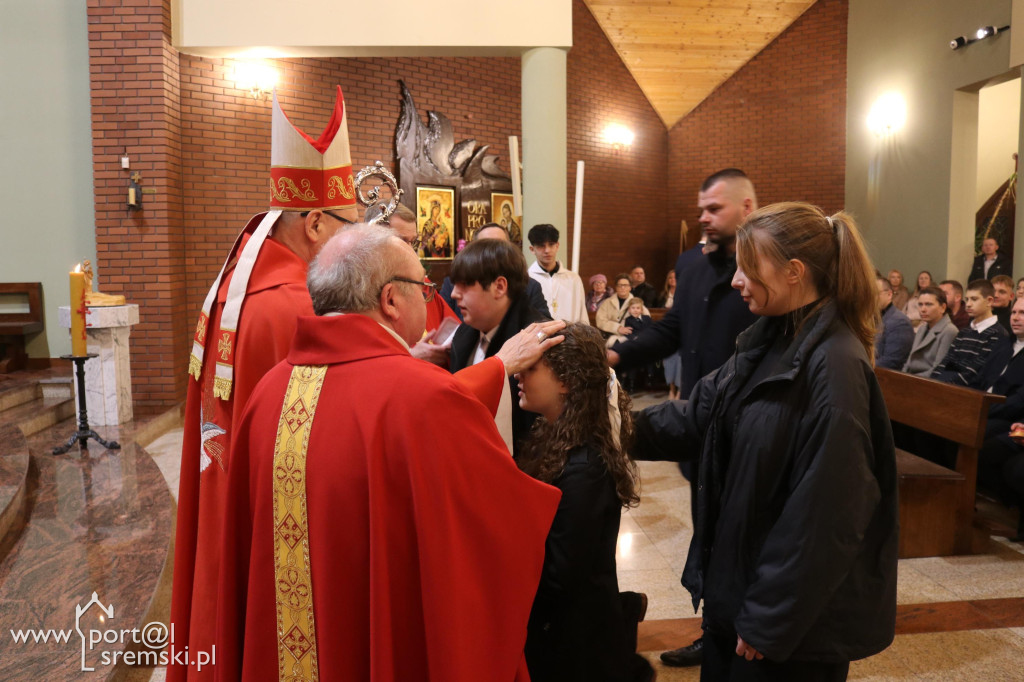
column 276, row 296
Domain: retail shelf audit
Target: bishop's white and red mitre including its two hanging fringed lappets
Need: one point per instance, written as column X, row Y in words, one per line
column 306, row 175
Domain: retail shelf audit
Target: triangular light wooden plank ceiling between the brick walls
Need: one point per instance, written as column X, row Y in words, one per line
column 680, row 51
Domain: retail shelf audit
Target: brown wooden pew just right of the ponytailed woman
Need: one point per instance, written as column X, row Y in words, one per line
column 937, row 504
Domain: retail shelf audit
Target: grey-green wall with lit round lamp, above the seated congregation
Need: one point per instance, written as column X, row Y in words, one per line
column 917, row 212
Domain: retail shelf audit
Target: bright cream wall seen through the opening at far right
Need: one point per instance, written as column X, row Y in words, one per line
column 999, row 125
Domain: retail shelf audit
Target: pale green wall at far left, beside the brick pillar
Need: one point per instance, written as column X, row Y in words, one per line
column 47, row 162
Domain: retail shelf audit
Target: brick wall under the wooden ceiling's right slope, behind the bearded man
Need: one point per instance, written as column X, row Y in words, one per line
column 782, row 118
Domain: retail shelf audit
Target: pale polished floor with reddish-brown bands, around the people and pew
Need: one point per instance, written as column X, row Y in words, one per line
column 960, row 618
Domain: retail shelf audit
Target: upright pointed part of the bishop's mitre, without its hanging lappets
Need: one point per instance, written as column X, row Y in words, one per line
column 308, row 174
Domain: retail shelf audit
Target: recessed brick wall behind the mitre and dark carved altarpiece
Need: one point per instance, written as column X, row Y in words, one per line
column 227, row 134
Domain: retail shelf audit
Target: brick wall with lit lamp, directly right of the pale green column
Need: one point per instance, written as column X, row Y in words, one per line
column 625, row 194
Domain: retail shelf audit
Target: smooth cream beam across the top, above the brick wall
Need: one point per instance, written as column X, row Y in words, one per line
column 398, row 28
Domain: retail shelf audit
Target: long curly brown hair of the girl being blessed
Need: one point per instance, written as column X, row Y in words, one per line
column 580, row 363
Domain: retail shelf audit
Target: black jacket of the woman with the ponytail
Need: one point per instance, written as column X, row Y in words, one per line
column 795, row 544
